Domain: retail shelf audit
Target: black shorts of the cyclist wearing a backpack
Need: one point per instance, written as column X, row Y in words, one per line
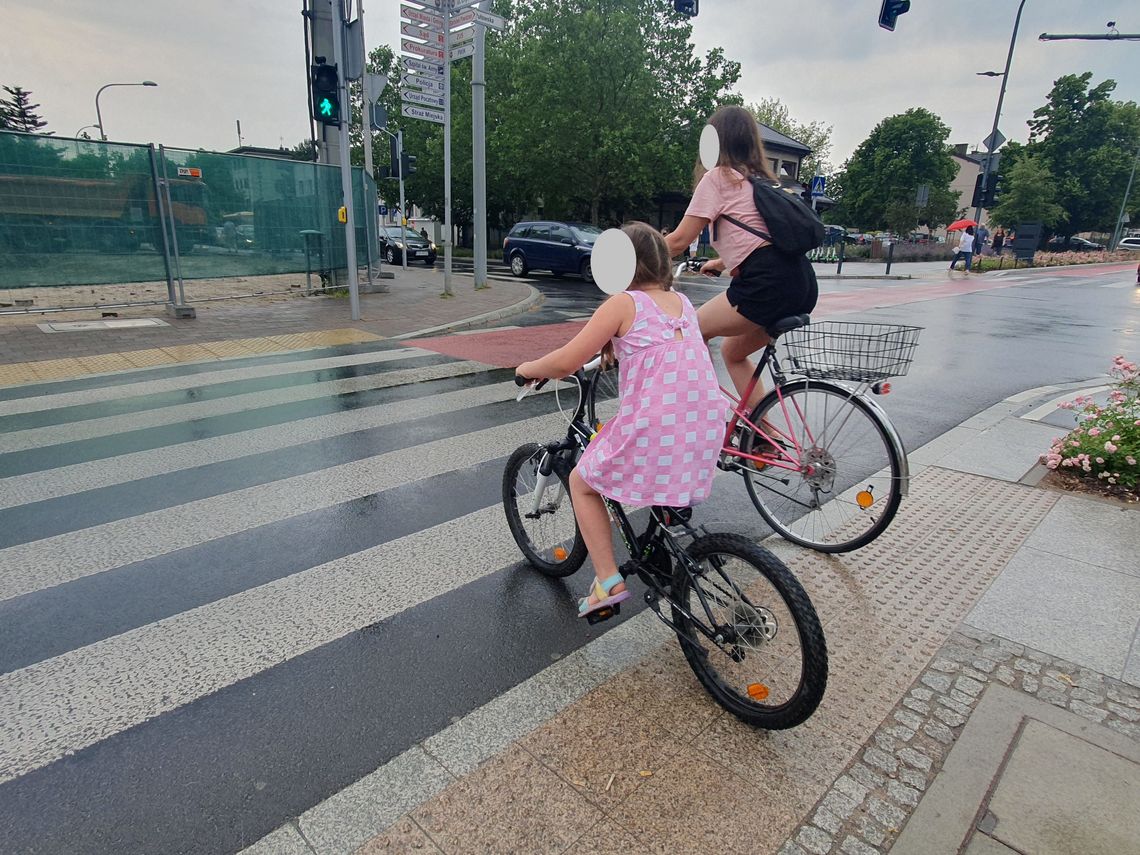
column 772, row 286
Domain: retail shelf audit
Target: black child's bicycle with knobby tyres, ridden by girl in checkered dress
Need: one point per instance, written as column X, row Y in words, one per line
column 745, row 624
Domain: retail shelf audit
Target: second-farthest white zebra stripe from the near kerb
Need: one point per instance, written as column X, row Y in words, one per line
column 181, row 413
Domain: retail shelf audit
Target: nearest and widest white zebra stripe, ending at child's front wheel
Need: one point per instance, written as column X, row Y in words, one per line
column 63, row 705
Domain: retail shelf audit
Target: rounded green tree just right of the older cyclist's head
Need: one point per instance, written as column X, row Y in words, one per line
column 882, row 180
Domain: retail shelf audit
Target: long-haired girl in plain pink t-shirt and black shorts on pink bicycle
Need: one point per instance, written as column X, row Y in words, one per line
column 767, row 284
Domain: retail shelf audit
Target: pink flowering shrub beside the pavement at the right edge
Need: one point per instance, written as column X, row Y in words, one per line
column 1106, row 442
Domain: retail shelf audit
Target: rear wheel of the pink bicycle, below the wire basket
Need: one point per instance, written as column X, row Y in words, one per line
column 848, row 485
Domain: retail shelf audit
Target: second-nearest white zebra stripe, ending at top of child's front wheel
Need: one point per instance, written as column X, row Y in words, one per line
column 74, row 556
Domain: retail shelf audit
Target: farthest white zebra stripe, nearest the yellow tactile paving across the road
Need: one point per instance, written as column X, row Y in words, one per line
column 55, row 401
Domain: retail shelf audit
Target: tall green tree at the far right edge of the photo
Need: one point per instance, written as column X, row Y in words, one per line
column 1087, row 142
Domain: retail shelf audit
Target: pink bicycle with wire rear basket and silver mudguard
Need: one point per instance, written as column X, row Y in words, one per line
column 820, row 459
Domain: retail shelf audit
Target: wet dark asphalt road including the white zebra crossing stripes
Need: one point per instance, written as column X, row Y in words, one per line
column 227, row 600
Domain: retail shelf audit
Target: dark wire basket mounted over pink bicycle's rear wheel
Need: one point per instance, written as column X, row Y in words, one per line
column 850, row 351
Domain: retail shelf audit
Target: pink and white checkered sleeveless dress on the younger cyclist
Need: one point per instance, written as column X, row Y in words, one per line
column 663, row 446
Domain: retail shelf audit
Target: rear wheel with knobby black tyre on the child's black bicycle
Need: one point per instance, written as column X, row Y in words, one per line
column 791, row 707
